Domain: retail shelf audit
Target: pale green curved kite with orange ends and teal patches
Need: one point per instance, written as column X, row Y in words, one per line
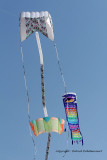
column 47, row 124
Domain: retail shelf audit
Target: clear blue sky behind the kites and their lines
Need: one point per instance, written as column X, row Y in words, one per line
column 80, row 29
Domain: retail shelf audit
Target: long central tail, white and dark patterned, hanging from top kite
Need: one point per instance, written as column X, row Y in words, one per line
column 43, row 89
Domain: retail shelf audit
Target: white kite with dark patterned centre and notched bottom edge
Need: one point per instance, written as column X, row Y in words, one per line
column 36, row 21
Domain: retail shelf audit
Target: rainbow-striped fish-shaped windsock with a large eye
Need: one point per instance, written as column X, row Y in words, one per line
column 70, row 105
